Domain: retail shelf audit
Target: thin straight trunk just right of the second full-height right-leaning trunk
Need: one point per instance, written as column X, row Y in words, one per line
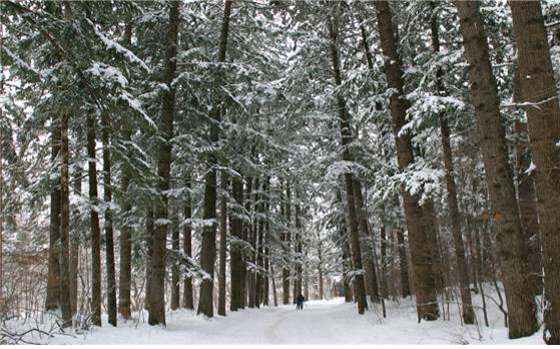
column 223, row 245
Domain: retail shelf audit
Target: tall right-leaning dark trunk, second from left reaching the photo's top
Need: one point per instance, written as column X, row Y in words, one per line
column 208, row 246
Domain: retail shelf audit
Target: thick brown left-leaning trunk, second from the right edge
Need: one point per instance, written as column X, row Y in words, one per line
column 499, row 176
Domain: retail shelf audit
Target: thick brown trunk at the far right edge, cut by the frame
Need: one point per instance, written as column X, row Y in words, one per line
column 539, row 86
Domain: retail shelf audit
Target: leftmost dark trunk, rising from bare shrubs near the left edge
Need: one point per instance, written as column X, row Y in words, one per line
column 53, row 280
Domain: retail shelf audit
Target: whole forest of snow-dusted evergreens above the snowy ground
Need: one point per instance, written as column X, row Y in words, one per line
column 223, row 155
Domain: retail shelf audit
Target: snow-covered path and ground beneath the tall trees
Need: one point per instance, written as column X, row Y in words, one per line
column 321, row 322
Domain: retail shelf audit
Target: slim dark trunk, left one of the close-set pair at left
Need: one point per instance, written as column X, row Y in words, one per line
column 94, row 223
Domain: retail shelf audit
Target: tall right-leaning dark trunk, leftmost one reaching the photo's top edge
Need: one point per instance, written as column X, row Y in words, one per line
column 157, row 278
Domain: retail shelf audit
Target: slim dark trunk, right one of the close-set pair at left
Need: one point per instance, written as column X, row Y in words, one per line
column 109, row 241
